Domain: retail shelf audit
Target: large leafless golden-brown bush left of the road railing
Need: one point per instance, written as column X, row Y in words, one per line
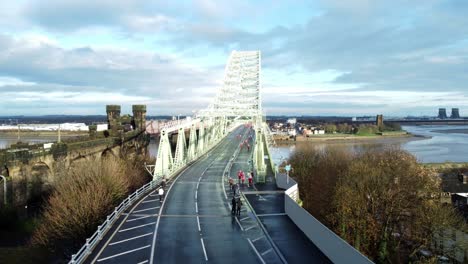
column 83, row 198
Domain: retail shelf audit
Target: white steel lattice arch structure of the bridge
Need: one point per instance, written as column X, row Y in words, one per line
column 238, row 101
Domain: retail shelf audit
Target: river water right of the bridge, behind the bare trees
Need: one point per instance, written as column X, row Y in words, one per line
column 436, row 146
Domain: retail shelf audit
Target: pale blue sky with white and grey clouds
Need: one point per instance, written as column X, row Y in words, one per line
column 334, row 57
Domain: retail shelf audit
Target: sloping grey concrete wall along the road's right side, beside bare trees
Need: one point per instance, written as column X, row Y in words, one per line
column 333, row 246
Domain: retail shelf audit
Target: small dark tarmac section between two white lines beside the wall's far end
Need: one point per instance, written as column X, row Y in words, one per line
column 267, row 203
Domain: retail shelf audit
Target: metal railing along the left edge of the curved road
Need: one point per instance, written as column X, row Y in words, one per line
column 91, row 242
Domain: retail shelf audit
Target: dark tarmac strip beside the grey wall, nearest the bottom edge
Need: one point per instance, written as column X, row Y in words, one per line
column 291, row 241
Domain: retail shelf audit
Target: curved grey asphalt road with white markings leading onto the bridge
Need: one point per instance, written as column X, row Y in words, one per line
column 192, row 225
